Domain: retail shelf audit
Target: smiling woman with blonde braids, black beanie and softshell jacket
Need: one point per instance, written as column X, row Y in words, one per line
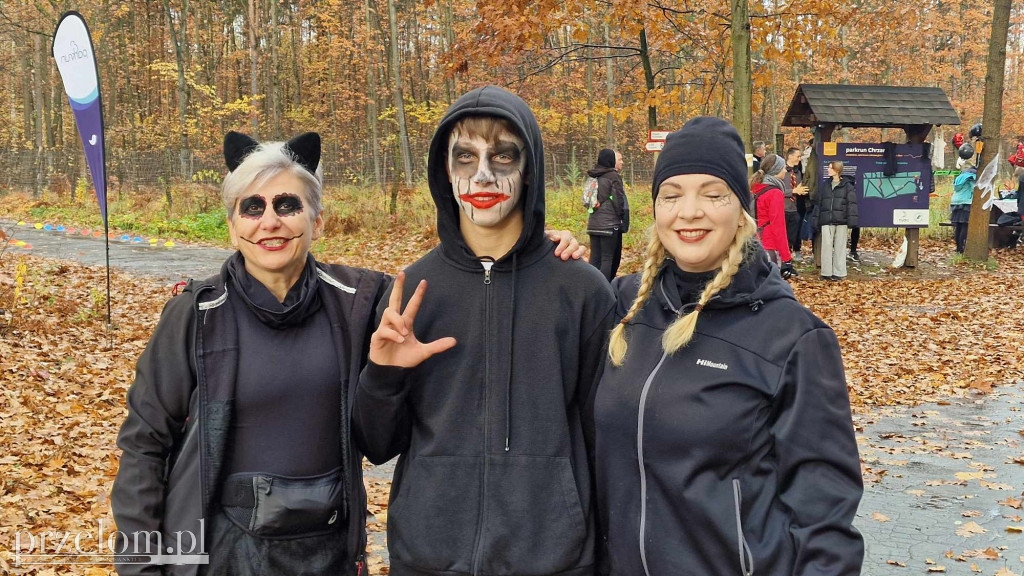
column 724, row 438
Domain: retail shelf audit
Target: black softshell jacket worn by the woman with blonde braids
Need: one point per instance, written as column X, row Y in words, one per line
column 736, row 456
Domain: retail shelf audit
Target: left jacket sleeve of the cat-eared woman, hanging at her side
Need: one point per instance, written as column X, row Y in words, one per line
column 158, row 407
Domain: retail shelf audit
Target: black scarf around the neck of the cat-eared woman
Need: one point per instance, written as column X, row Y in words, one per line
column 302, row 302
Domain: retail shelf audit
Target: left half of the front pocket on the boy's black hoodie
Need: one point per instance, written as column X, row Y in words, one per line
column 435, row 515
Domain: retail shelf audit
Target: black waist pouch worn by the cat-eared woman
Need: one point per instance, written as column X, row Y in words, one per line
column 280, row 507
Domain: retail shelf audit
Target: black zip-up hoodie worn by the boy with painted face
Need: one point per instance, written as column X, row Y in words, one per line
column 494, row 476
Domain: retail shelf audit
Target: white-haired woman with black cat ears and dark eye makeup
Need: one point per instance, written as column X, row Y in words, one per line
column 239, row 424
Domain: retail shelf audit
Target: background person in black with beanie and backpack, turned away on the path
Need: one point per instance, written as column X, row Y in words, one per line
column 610, row 220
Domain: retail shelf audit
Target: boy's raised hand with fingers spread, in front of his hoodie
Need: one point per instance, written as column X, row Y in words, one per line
column 395, row 343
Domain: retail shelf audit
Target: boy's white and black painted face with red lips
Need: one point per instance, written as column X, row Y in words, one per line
column 487, row 175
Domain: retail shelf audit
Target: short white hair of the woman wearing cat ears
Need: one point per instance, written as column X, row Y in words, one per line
column 265, row 163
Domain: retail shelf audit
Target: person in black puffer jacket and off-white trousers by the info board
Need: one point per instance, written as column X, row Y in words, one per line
column 837, row 203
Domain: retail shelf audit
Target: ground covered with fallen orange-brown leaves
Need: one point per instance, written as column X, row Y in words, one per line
column 907, row 339
